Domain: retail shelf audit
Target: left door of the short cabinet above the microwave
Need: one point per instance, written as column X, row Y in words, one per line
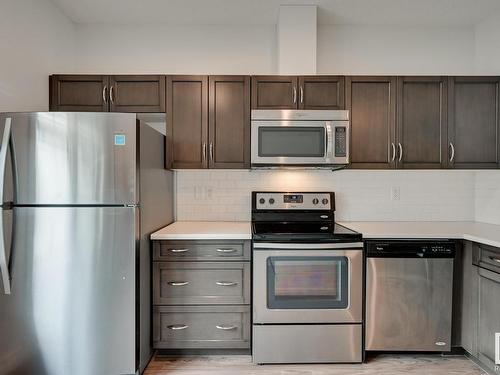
column 274, row 92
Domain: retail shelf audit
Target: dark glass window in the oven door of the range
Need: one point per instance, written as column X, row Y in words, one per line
column 307, row 282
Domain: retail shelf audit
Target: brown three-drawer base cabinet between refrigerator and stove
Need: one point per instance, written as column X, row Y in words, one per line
column 201, row 294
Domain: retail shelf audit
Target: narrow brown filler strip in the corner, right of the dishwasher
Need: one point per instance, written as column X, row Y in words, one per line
column 469, row 301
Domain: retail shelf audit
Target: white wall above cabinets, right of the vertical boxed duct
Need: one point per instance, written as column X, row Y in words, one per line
column 395, row 50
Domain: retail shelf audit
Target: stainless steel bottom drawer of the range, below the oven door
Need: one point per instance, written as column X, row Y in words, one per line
column 307, row 343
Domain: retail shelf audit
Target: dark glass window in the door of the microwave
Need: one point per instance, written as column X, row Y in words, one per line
column 275, row 141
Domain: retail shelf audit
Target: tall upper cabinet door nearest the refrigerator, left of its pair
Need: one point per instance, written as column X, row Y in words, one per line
column 187, row 121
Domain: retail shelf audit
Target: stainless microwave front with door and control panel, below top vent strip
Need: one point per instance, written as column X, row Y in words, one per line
column 299, row 142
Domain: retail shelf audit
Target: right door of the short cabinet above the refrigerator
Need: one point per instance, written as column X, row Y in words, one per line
column 137, row 93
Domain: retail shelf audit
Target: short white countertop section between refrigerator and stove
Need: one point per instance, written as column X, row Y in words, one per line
column 205, row 230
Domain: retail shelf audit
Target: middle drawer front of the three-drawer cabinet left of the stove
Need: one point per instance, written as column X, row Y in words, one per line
column 189, row 283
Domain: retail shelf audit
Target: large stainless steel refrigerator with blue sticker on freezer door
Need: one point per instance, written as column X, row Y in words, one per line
column 81, row 193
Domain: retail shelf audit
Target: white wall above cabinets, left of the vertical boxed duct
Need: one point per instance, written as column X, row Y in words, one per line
column 176, row 49
